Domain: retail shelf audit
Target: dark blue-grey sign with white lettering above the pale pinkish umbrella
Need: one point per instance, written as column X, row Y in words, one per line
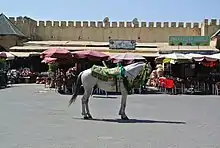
column 122, row 44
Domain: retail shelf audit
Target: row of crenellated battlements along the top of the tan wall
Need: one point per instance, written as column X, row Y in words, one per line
column 101, row 24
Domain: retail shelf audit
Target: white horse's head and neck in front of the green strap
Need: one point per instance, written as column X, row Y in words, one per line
column 133, row 70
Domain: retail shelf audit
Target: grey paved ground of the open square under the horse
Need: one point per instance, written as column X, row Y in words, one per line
column 32, row 117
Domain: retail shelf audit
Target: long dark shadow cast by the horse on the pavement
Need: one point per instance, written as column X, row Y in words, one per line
column 134, row 121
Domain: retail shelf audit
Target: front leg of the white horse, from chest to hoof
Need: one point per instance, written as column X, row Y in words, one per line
column 123, row 104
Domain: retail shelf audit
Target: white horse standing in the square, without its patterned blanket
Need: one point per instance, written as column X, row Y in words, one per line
column 86, row 79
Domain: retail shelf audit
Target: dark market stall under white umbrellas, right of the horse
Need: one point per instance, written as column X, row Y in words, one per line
column 195, row 72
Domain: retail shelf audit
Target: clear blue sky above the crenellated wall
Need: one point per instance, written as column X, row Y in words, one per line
column 116, row 10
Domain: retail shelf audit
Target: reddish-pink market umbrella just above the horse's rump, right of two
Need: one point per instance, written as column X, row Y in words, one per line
column 90, row 54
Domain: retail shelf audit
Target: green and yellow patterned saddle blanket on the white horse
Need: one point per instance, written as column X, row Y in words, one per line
column 104, row 73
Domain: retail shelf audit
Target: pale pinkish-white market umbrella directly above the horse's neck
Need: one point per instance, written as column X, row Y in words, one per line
column 126, row 58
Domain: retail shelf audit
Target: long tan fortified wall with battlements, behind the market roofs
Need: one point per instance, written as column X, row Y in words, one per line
column 100, row 31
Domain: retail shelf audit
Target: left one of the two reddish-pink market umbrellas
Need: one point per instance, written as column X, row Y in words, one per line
column 56, row 53
